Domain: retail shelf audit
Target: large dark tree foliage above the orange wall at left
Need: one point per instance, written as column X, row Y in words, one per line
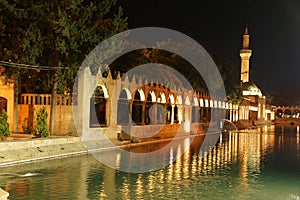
column 57, row 33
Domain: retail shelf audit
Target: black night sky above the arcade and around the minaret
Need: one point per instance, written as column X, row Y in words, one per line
column 274, row 28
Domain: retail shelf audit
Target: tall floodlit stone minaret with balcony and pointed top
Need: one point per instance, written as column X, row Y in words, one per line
column 245, row 54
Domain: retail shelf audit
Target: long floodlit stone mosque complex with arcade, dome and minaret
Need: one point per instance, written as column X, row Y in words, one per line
column 181, row 107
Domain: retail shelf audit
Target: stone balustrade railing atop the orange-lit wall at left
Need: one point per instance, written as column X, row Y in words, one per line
column 45, row 99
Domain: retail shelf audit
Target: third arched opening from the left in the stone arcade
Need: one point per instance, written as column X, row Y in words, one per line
column 137, row 108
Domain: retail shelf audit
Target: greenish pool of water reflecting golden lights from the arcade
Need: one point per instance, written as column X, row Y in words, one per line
column 256, row 164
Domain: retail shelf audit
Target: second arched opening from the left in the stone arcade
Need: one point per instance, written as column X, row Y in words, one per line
column 123, row 108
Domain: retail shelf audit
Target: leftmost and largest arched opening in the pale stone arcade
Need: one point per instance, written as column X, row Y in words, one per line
column 98, row 108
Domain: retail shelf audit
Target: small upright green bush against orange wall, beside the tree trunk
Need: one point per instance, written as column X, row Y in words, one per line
column 42, row 129
